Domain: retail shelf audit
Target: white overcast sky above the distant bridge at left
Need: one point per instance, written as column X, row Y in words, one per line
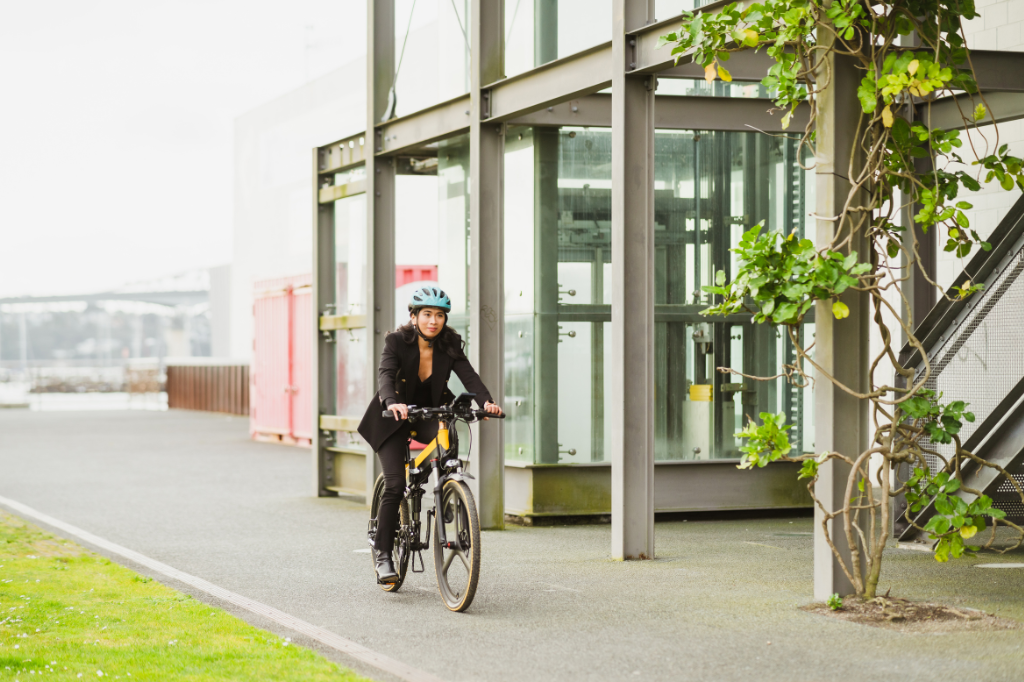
column 116, row 127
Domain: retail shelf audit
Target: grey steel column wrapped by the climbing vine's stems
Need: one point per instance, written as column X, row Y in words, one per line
column 842, row 347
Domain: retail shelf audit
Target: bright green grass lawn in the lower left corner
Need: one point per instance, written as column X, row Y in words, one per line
column 67, row 614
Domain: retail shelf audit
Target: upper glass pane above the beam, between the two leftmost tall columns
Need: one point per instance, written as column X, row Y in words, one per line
column 435, row 68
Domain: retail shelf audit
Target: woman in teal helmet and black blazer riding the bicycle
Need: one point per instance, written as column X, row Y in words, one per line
column 416, row 364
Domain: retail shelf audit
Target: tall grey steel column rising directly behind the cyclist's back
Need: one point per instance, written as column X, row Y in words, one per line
column 380, row 198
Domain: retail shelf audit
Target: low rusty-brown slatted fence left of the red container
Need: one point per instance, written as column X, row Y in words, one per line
column 210, row 389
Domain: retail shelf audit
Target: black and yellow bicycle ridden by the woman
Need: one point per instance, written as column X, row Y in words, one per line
column 459, row 535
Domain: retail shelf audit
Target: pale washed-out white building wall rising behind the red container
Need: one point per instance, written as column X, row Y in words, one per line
column 274, row 188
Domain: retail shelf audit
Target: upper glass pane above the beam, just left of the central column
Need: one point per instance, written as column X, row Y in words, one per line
column 540, row 31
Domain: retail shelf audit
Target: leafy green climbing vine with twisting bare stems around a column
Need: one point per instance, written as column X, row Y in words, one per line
column 900, row 165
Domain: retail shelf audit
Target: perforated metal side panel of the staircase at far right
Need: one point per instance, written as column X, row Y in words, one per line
column 979, row 358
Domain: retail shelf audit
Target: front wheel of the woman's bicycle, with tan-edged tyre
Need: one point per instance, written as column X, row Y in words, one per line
column 458, row 568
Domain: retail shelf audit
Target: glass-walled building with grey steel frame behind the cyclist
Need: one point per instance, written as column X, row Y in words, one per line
column 543, row 212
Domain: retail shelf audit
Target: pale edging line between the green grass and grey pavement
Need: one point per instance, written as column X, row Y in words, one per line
column 323, row 636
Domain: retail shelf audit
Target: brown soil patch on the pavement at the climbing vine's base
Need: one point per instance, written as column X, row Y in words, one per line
column 913, row 617
